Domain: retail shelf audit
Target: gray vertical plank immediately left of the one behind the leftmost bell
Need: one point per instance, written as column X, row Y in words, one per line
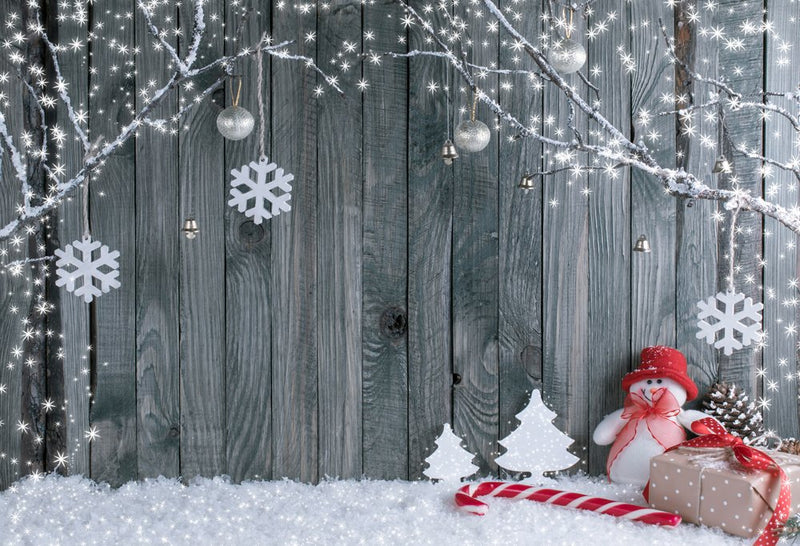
column 157, row 277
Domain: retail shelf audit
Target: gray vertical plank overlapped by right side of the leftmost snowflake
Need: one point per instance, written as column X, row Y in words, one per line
column 114, row 453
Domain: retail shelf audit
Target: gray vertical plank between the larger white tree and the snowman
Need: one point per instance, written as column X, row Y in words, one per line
column 565, row 285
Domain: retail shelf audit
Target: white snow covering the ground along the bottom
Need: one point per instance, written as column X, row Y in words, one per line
column 74, row 510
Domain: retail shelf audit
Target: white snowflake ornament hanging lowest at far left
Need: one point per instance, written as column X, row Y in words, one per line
column 83, row 269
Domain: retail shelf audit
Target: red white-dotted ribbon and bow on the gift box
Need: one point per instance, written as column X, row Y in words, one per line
column 713, row 434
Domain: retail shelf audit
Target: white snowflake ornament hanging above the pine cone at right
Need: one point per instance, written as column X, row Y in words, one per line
column 729, row 321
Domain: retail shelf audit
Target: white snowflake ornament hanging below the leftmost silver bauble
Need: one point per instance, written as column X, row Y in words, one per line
column 276, row 192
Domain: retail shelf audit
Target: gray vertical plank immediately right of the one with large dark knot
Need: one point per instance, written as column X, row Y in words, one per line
column 430, row 222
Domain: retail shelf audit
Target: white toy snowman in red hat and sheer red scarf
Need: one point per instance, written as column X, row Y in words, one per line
column 651, row 420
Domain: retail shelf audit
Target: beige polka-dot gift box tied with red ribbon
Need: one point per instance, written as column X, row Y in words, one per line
column 711, row 485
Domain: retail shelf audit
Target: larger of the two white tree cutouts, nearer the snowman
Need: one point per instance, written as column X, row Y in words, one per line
column 537, row 445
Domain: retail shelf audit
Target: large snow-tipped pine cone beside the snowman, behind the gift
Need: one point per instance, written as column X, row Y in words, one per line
column 729, row 405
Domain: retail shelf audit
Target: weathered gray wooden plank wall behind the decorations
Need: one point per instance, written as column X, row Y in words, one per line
column 399, row 293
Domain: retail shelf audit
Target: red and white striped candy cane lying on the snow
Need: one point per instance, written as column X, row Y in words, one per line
column 467, row 501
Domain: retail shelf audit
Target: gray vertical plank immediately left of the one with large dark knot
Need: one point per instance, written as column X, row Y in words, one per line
column 339, row 254
